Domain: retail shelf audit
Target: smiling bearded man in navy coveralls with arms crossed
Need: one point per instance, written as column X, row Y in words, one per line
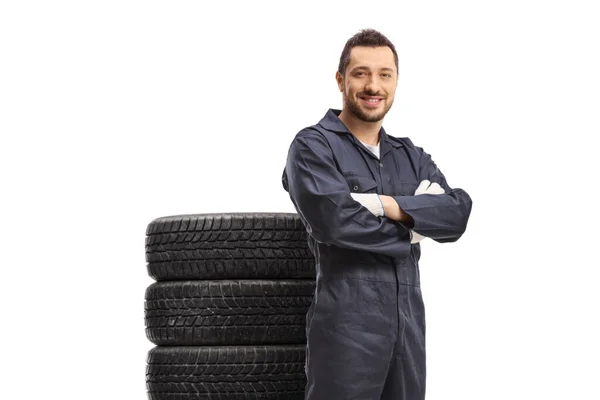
column 367, row 199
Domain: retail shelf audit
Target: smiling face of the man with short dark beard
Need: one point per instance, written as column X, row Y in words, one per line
column 369, row 83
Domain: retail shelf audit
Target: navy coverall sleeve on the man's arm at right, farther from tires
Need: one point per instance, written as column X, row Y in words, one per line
column 441, row 217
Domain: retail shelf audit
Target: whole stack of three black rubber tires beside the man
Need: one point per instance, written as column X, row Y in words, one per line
column 227, row 310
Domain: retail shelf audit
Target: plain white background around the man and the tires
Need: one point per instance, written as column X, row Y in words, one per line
column 113, row 113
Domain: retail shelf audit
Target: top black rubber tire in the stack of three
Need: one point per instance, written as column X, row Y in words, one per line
column 228, row 246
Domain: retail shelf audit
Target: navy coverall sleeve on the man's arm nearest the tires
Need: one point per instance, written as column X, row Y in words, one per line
column 321, row 196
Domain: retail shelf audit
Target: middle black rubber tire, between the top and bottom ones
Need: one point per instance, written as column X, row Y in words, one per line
column 244, row 312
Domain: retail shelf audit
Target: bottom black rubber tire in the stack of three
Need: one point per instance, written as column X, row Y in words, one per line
column 226, row 373
